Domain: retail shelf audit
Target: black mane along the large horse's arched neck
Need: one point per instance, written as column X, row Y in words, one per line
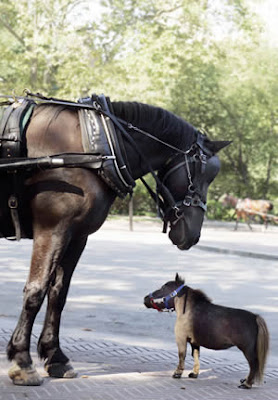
column 157, row 121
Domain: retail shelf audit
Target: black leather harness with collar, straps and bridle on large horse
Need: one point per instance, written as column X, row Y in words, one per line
column 102, row 136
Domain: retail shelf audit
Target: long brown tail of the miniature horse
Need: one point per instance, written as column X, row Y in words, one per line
column 262, row 347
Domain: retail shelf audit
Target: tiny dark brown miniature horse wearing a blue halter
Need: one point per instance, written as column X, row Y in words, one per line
column 202, row 323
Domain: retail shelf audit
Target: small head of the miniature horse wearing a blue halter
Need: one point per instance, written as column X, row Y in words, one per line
column 164, row 297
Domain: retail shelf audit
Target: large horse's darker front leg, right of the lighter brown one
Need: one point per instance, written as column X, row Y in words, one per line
column 57, row 363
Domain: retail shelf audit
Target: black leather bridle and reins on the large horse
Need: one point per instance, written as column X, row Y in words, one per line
column 168, row 204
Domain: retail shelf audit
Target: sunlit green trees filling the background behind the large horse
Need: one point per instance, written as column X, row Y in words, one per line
column 205, row 61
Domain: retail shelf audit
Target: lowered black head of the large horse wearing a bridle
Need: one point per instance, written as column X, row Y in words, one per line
column 188, row 177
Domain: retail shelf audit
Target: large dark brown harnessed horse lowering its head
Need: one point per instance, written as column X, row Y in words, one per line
column 68, row 204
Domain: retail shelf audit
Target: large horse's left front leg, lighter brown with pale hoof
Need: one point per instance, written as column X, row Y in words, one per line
column 46, row 251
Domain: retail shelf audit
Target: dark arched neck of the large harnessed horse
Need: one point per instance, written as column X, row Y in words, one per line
column 158, row 122
